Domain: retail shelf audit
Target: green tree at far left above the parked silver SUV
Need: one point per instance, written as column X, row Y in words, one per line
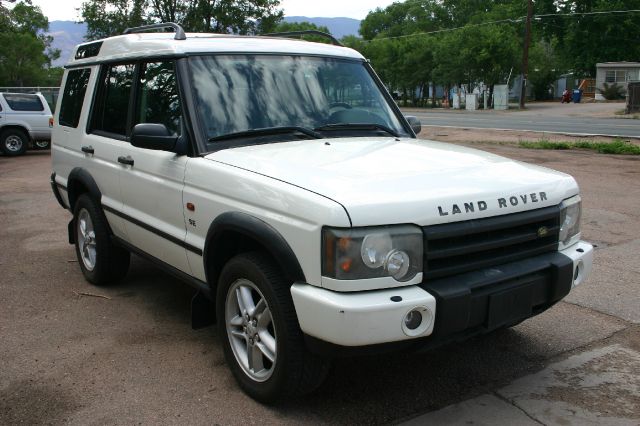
column 25, row 50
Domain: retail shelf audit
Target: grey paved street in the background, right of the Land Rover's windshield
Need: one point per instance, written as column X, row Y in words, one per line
column 560, row 121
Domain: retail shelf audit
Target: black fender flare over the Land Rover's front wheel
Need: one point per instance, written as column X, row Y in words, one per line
column 259, row 231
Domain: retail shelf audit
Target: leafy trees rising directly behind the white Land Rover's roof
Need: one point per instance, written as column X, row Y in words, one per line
column 105, row 18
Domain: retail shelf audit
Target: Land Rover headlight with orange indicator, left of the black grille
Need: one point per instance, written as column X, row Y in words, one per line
column 358, row 253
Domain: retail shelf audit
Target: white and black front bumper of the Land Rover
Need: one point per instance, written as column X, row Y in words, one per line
column 458, row 307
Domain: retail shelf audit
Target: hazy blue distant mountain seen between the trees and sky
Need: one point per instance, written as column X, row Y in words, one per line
column 68, row 34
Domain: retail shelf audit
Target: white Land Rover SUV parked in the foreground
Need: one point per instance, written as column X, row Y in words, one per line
column 279, row 179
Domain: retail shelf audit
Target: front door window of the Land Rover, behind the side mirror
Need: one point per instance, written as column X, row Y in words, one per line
column 158, row 100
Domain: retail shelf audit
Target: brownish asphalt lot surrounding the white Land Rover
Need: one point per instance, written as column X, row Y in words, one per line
column 76, row 354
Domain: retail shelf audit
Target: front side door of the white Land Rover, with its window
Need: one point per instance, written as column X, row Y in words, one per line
column 152, row 182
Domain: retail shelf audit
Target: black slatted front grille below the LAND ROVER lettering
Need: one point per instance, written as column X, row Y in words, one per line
column 454, row 248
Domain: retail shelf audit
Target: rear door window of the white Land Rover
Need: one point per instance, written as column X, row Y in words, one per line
column 111, row 105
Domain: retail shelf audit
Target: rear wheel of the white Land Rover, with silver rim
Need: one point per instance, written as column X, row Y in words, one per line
column 100, row 260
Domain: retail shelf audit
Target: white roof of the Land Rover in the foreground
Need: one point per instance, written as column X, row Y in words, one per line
column 139, row 45
